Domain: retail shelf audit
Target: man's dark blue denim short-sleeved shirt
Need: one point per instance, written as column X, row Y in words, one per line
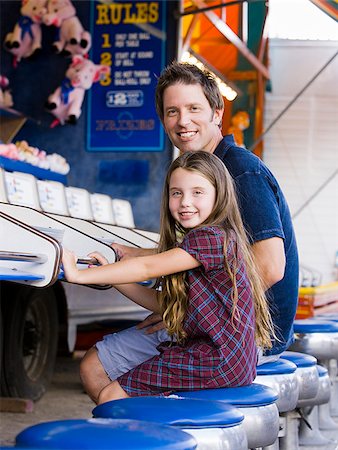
column 265, row 214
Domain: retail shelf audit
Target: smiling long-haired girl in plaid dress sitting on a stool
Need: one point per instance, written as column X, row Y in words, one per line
column 209, row 292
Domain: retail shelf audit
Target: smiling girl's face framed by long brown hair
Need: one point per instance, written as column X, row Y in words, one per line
column 191, row 197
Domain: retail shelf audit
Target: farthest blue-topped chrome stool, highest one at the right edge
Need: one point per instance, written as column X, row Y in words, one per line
column 320, row 339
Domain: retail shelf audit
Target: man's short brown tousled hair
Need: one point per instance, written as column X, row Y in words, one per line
column 185, row 73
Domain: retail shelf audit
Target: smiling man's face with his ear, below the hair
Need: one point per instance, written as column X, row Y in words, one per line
column 188, row 118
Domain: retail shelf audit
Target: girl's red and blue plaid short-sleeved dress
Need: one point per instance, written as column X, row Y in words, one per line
column 220, row 350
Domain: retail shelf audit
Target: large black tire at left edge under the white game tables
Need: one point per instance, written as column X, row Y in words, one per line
column 30, row 327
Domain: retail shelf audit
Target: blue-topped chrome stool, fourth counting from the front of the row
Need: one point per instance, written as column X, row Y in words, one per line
column 306, row 373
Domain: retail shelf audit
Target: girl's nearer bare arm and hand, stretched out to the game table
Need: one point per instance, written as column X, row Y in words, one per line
column 130, row 270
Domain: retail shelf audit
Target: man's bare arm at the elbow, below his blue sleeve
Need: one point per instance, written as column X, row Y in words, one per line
column 270, row 260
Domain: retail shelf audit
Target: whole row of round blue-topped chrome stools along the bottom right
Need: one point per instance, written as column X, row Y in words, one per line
column 291, row 406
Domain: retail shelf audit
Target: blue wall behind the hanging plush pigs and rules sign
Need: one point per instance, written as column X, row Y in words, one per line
column 31, row 83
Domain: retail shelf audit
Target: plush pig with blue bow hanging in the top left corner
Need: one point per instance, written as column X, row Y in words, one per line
column 25, row 39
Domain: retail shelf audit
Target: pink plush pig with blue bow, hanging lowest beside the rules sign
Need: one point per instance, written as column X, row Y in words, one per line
column 66, row 101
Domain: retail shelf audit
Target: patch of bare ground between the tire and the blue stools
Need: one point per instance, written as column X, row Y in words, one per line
column 64, row 399
